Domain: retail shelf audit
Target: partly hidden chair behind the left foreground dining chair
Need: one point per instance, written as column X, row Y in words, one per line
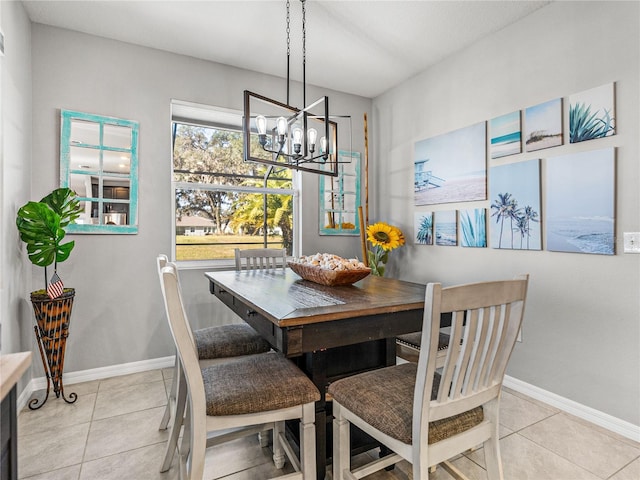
column 214, row 344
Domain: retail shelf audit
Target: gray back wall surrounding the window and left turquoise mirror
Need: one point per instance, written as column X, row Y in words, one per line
column 117, row 315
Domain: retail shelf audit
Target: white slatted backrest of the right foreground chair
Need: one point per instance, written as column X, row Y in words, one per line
column 486, row 318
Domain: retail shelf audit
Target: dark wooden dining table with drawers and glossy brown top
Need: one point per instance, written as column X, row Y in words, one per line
column 329, row 331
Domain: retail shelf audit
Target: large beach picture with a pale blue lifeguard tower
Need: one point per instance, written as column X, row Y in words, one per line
column 451, row 167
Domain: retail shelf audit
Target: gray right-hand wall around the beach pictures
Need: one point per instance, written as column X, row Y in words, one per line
column 581, row 336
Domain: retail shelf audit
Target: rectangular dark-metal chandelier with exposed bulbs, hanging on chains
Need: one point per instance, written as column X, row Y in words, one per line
column 279, row 134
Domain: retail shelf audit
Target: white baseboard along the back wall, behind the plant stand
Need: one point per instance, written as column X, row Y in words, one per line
column 40, row 383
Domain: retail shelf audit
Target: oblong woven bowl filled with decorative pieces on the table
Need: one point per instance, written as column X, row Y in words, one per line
column 328, row 269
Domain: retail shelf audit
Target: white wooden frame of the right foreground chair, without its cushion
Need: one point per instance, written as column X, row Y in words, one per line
column 471, row 376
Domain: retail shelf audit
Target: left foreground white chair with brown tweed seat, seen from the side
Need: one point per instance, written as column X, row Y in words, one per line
column 228, row 400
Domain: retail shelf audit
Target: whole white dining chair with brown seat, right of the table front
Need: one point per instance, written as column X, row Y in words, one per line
column 426, row 416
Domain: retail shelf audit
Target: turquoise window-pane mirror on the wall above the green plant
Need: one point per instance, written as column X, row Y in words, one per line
column 99, row 161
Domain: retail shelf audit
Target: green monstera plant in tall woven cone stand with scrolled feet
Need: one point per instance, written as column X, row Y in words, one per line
column 41, row 226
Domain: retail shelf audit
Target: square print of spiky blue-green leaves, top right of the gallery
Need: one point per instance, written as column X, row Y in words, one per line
column 592, row 114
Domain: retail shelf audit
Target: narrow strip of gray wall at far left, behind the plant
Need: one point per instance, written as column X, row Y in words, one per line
column 15, row 177
